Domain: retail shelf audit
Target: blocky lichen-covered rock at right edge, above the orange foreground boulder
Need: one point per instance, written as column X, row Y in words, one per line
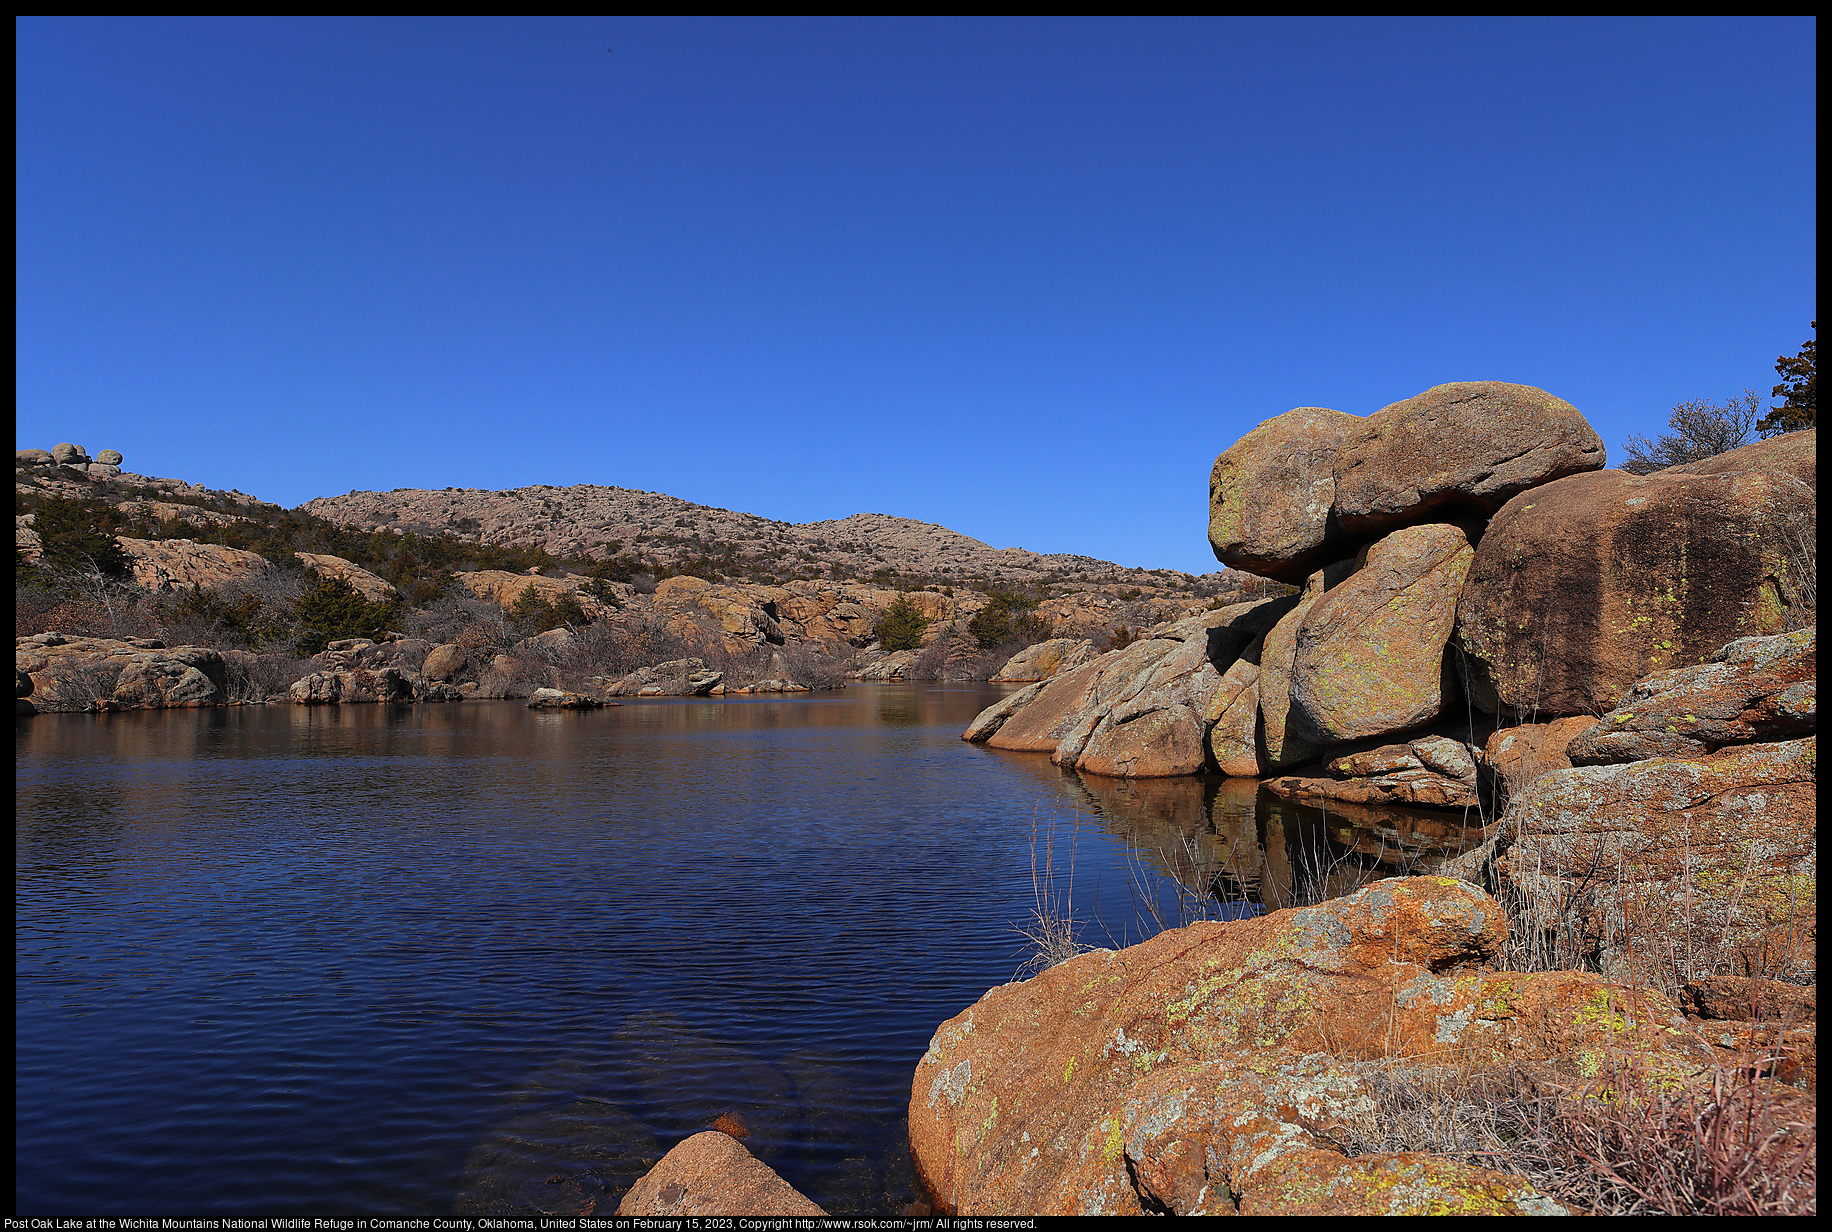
column 1670, row 864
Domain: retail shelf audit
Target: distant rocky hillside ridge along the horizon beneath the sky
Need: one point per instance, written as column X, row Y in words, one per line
column 609, row 523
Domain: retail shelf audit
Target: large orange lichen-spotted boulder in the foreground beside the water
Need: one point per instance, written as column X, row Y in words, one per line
column 1203, row 1070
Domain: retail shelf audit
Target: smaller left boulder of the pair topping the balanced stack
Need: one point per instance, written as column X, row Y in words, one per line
column 1272, row 490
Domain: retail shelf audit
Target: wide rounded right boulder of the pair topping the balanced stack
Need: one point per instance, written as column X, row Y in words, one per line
column 1456, row 452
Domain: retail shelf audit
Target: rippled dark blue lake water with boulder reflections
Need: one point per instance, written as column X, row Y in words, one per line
column 483, row 960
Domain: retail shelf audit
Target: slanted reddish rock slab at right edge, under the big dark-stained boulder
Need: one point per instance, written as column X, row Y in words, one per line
column 1752, row 690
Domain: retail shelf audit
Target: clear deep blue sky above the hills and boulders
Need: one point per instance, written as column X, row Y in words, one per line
column 1020, row 278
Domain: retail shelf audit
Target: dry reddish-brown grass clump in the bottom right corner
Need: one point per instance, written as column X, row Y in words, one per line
column 1728, row 1143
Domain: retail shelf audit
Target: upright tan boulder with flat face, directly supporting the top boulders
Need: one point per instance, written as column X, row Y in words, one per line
column 1369, row 657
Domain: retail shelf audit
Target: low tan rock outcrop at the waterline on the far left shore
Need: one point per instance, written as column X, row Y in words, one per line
column 118, row 674
